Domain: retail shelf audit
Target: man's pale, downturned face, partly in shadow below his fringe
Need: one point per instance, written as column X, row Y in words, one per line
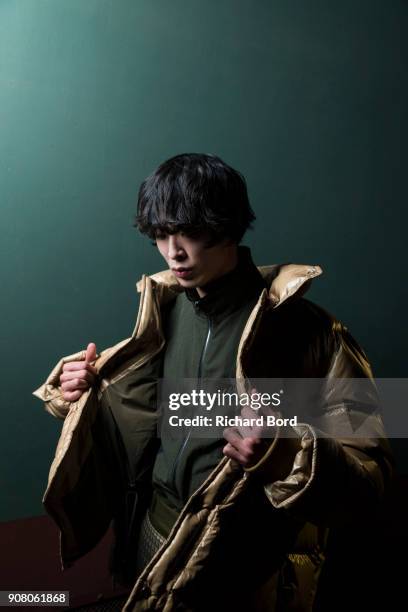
column 193, row 263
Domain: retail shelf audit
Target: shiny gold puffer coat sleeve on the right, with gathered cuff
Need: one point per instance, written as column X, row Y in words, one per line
column 319, row 474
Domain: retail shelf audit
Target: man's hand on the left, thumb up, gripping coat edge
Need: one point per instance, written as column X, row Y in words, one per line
column 78, row 376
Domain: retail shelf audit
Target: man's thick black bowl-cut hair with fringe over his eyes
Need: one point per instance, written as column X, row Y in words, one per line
column 198, row 194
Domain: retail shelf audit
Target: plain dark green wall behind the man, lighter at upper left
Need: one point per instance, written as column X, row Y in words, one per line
column 308, row 99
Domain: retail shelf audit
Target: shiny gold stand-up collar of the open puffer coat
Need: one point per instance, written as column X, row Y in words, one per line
column 282, row 281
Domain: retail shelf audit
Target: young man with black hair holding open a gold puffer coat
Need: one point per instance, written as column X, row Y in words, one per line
column 231, row 522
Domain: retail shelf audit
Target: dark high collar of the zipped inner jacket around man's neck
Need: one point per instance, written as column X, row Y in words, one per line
column 229, row 292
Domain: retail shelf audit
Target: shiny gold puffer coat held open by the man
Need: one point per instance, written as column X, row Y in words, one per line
column 246, row 539
